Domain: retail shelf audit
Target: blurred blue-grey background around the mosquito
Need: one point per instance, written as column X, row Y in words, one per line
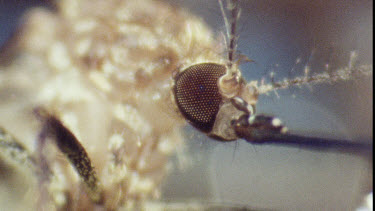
column 275, row 34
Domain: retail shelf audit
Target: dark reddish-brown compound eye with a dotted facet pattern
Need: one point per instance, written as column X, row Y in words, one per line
column 197, row 94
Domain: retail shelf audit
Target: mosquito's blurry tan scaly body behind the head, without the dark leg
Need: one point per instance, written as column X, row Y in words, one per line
column 104, row 68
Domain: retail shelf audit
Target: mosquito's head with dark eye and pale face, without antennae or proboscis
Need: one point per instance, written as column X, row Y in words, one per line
column 198, row 97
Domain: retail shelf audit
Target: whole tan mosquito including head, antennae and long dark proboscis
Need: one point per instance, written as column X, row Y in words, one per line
column 207, row 91
